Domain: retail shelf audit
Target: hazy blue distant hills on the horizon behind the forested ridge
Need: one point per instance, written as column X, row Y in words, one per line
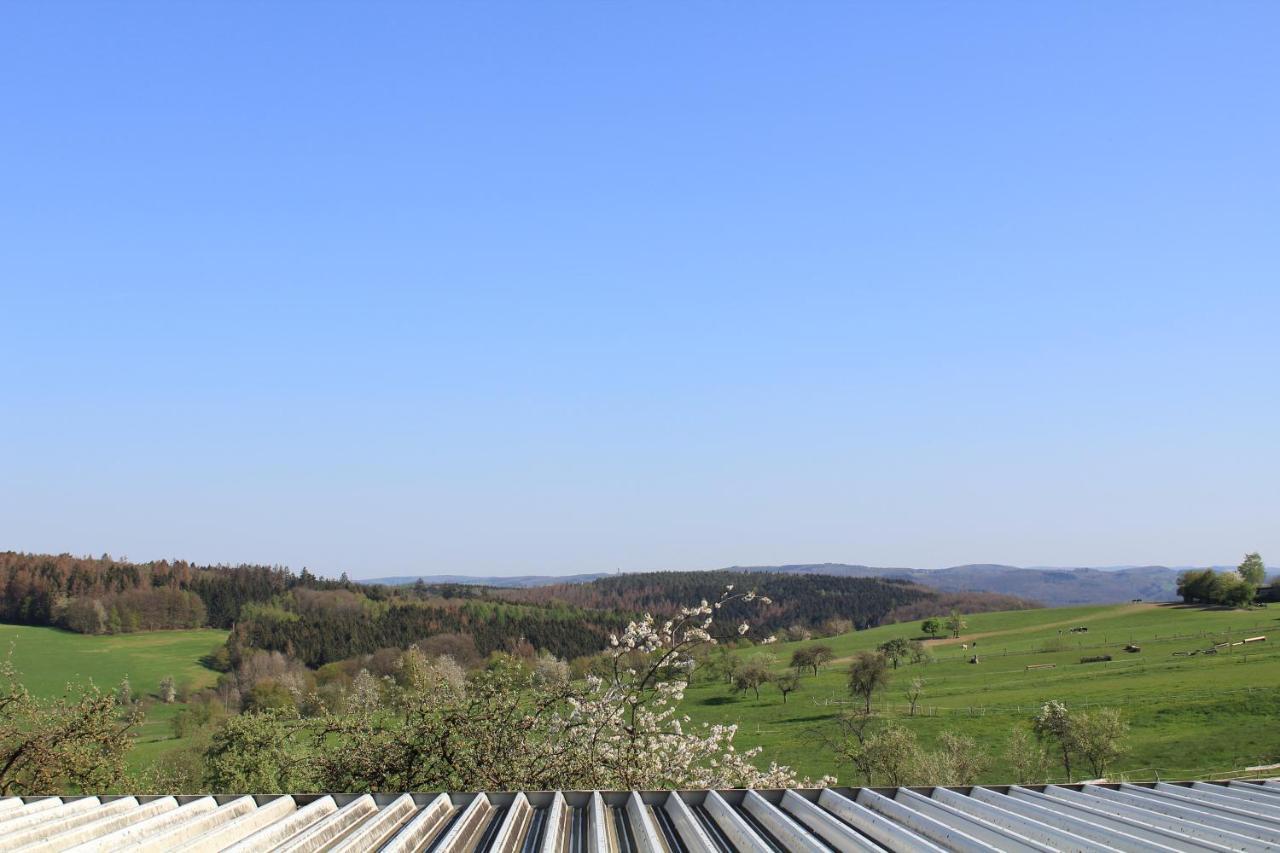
column 1054, row 587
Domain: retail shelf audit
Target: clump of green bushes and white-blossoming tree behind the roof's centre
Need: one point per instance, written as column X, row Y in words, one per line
column 510, row 728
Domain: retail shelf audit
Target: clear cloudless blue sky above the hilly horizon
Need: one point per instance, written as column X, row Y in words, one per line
column 540, row 288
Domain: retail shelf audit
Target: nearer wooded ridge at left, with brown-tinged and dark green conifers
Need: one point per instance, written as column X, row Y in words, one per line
column 313, row 619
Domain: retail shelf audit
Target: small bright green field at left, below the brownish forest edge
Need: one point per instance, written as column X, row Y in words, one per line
column 51, row 659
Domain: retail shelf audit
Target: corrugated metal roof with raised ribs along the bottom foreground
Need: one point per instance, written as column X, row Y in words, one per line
column 1163, row 816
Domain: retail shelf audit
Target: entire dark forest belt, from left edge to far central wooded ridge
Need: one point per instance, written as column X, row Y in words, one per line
column 318, row 622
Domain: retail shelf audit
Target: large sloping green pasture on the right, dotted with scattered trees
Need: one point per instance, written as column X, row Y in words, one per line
column 1190, row 717
